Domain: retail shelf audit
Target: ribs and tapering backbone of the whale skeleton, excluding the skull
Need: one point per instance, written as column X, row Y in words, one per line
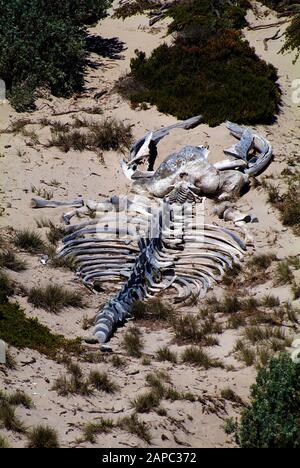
column 162, row 248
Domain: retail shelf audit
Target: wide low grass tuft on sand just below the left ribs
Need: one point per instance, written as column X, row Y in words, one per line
column 54, row 298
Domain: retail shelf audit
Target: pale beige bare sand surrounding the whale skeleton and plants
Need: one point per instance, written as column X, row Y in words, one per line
column 24, row 165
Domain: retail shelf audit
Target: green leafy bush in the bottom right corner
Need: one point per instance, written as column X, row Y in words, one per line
column 273, row 417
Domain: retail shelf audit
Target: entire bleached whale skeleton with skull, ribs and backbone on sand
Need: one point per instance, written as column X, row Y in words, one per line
column 158, row 241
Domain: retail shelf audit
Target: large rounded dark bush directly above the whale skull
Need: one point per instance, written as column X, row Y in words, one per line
column 220, row 78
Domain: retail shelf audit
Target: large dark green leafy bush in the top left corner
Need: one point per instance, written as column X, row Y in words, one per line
column 43, row 42
